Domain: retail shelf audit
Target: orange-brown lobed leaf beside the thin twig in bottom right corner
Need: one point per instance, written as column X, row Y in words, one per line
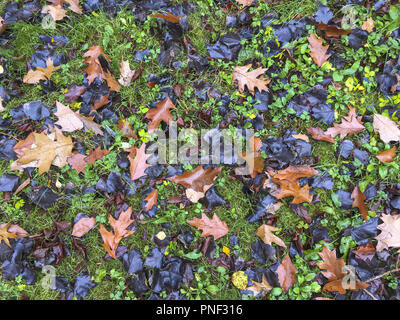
column 333, row 269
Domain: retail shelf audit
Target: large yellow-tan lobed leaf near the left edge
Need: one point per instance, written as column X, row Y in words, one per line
column 46, row 151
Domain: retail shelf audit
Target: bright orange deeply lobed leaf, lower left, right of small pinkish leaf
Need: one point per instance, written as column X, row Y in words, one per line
column 112, row 238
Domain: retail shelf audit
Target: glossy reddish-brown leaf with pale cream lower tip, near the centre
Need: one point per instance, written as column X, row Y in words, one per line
column 197, row 181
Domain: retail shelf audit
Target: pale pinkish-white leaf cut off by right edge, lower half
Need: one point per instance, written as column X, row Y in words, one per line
column 390, row 232
